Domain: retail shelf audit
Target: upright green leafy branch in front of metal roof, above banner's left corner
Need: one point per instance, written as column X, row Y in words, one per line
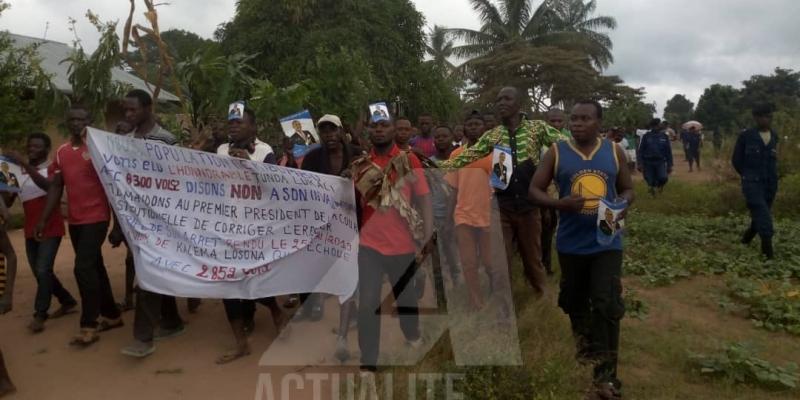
column 90, row 76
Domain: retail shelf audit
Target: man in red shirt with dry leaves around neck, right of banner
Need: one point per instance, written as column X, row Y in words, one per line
column 388, row 244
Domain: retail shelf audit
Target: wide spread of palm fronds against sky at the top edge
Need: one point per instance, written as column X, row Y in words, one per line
column 565, row 24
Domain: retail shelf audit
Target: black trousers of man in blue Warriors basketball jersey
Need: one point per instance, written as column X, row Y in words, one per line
column 591, row 294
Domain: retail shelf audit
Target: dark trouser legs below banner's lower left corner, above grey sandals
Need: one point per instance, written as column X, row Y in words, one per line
column 152, row 310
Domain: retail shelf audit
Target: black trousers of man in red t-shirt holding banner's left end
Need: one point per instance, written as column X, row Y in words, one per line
column 90, row 273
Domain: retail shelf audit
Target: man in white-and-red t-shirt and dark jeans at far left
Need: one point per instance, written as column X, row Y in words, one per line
column 41, row 253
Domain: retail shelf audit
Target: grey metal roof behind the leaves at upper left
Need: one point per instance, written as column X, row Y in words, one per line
column 52, row 53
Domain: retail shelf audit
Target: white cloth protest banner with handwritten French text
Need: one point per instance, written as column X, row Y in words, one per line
column 207, row 226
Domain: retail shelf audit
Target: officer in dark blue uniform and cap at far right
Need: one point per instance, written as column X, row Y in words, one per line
column 755, row 158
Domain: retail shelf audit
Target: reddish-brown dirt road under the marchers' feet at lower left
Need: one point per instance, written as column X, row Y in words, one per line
column 44, row 367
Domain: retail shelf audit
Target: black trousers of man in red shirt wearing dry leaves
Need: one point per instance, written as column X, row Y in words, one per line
column 400, row 270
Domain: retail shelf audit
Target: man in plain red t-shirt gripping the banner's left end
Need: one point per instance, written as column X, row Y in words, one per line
column 88, row 219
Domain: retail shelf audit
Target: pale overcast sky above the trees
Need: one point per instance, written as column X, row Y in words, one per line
column 666, row 46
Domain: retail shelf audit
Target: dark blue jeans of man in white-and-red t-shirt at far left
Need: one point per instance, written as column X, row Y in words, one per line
column 41, row 257
